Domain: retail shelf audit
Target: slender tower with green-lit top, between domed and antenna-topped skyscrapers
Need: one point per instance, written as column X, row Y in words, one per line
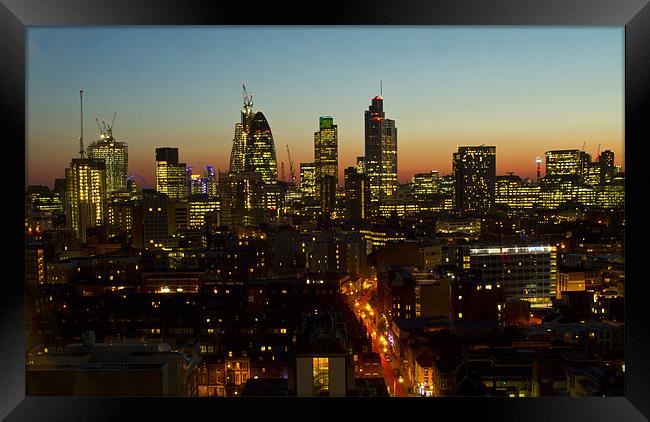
column 326, row 163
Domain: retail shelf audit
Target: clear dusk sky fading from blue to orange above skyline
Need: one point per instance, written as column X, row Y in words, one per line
column 525, row 90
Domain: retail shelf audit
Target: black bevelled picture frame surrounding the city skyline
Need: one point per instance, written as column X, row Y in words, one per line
column 634, row 15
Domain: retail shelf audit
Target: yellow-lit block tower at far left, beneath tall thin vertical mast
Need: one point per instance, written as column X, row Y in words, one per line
column 85, row 195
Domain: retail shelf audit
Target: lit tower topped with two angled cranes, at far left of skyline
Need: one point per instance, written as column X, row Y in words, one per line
column 116, row 157
